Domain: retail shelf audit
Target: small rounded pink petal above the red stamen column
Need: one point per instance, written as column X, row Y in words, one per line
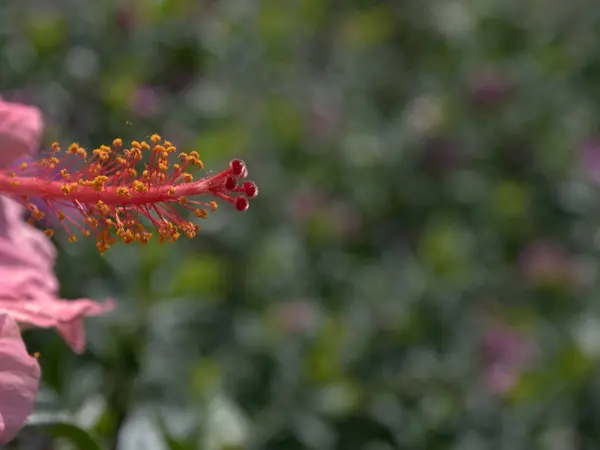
column 20, row 131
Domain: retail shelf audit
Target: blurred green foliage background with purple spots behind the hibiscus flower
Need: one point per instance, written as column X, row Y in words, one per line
column 420, row 269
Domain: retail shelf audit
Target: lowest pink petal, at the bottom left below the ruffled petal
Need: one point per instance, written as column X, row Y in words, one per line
column 19, row 379
